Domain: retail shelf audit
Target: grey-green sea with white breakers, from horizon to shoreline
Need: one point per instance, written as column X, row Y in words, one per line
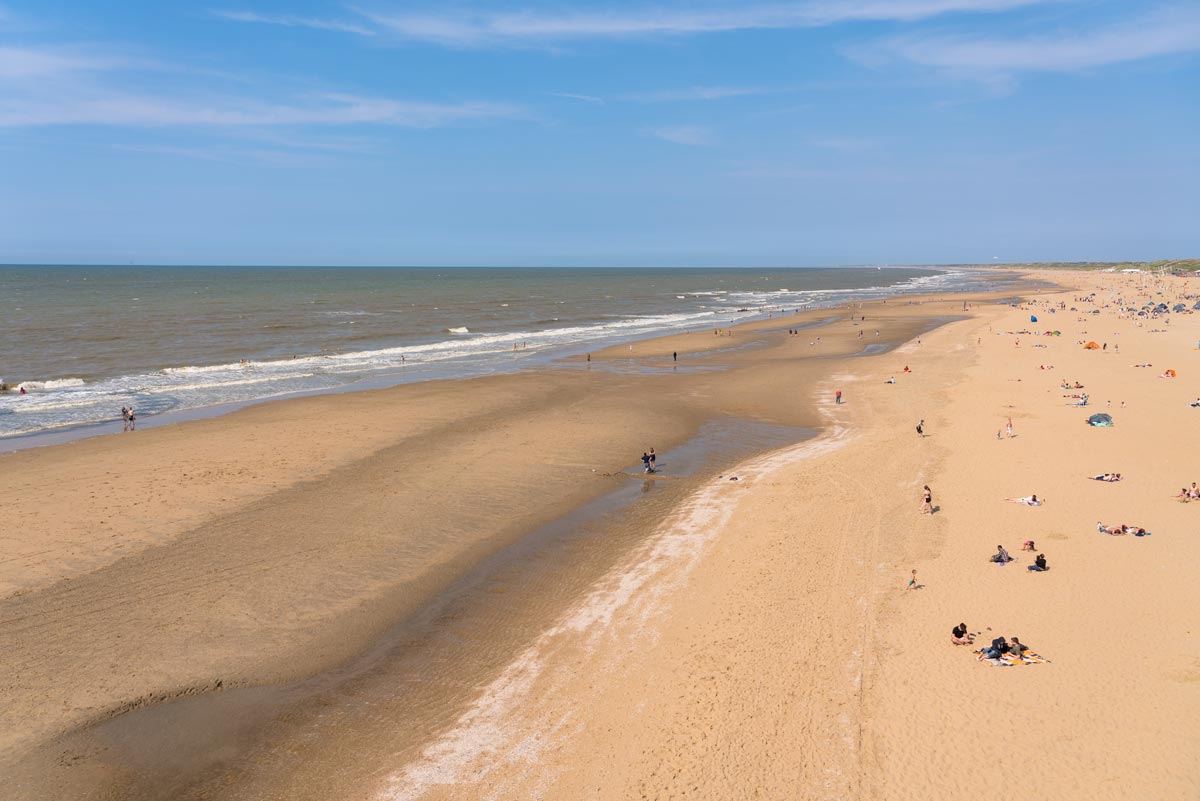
column 86, row 341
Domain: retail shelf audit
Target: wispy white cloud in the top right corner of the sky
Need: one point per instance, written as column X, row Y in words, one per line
column 1167, row 33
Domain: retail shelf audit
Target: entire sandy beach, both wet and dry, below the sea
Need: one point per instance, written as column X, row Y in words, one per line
column 319, row 598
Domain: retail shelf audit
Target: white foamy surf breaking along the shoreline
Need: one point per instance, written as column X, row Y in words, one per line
column 65, row 402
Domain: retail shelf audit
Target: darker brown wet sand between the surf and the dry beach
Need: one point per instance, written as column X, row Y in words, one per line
column 299, row 546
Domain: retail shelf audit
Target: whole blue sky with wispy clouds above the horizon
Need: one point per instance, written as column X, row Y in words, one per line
column 625, row 134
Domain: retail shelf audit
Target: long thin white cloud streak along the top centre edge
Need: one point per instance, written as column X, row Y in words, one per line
column 526, row 28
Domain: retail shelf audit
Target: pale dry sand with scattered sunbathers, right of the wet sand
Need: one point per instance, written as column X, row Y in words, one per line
column 777, row 653
